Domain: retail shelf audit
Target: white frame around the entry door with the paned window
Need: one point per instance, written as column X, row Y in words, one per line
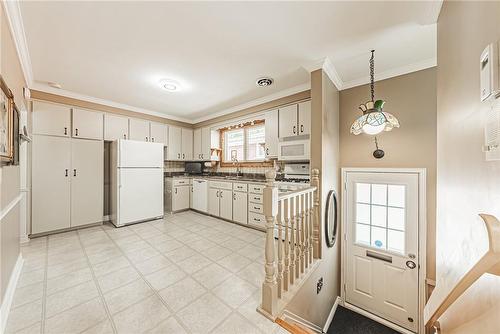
column 422, row 241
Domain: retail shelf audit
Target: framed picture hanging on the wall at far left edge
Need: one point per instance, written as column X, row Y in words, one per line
column 6, row 123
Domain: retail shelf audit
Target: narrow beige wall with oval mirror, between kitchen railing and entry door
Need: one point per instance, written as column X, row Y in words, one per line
column 325, row 157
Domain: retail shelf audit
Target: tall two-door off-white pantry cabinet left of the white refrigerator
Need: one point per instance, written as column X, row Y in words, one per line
column 67, row 183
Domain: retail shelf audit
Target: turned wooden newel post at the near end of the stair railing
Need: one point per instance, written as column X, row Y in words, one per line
column 270, row 287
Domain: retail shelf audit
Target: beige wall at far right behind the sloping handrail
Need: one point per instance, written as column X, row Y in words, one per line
column 467, row 184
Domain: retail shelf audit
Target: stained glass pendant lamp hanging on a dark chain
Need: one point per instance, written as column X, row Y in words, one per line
column 374, row 120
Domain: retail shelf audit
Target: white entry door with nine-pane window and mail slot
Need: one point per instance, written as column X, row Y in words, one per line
column 382, row 258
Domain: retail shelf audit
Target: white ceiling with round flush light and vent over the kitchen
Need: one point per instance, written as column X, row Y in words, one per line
column 118, row 51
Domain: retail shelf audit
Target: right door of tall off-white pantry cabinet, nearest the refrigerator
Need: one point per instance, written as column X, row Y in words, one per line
column 86, row 182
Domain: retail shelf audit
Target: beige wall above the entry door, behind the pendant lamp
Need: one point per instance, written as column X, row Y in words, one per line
column 412, row 99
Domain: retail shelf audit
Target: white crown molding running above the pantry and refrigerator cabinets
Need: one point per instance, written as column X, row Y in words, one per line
column 70, row 94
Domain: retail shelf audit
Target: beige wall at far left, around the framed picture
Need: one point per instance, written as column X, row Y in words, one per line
column 9, row 175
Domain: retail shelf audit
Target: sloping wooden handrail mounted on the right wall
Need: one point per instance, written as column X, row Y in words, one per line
column 489, row 263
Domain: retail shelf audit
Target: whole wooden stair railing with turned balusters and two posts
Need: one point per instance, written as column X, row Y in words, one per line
column 292, row 242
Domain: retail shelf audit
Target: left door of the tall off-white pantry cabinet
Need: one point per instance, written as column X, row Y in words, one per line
column 51, row 187
